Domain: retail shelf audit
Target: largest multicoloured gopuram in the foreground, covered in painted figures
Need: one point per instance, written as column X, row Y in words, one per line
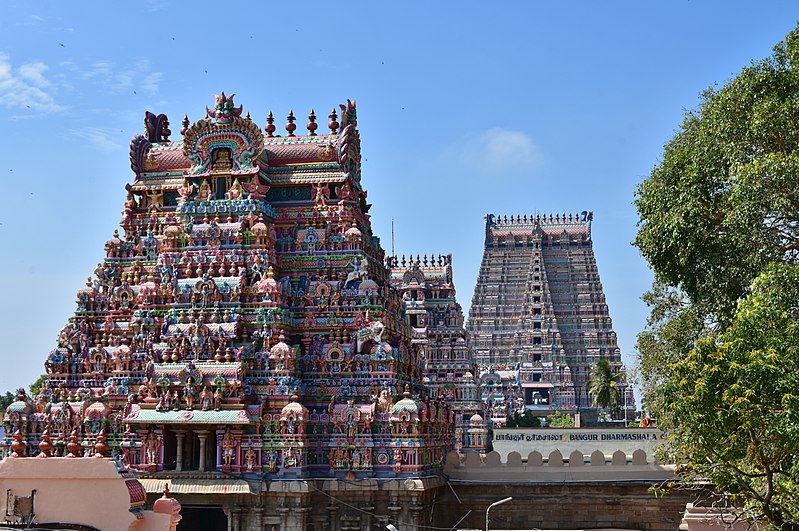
column 244, row 320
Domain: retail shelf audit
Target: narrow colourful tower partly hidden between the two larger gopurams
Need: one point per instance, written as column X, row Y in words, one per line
column 436, row 319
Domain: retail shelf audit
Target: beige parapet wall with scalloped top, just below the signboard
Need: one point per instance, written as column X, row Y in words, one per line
column 555, row 469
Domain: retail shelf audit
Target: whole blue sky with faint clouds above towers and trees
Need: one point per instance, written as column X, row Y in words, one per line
column 464, row 108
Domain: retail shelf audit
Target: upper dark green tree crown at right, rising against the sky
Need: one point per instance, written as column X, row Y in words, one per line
column 724, row 201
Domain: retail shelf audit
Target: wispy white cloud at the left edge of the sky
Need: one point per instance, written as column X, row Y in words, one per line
column 26, row 88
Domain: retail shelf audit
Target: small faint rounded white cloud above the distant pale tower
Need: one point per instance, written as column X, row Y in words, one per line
column 497, row 149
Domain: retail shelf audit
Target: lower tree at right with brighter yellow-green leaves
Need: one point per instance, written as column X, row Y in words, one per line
column 732, row 406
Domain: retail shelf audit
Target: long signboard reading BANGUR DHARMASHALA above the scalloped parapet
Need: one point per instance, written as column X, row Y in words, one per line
column 567, row 440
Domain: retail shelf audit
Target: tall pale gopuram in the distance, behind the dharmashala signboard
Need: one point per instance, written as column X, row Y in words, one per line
column 539, row 320
